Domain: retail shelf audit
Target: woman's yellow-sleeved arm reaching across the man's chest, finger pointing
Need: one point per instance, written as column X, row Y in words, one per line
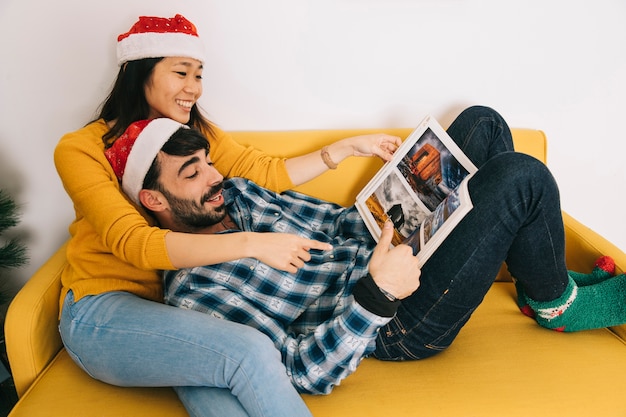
column 118, row 227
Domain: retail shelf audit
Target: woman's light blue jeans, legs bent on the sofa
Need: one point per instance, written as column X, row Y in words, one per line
column 217, row 368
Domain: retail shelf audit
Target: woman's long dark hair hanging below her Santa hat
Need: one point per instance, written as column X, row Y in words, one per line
column 127, row 101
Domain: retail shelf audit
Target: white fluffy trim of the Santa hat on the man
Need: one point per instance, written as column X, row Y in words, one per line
column 144, row 150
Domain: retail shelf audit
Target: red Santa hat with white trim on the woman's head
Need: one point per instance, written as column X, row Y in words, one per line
column 156, row 37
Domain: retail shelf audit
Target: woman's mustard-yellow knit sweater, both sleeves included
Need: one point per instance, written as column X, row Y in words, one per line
column 114, row 245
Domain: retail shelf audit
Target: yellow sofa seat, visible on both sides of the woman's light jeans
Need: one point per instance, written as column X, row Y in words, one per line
column 502, row 364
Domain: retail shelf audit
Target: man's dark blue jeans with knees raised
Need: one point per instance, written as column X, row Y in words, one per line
column 516, row 218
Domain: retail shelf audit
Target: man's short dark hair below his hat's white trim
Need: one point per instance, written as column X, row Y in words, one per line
column 183, row 142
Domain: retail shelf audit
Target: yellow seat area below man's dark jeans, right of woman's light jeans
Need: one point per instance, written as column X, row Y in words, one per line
column 502, row 364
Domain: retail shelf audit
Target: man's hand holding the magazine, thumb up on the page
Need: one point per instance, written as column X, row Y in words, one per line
column 394, row 270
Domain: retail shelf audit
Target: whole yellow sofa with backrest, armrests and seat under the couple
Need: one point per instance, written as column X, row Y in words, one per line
column 502, row 363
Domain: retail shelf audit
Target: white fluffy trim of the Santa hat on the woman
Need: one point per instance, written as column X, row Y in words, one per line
column 157, row 45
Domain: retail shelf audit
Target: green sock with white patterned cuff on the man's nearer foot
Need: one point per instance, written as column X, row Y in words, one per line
column 583, row 308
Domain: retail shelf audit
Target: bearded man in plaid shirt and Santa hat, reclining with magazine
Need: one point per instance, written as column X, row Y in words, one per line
column 359, row 298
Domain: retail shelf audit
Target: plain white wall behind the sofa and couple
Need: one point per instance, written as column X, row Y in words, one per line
column 287, row 64
